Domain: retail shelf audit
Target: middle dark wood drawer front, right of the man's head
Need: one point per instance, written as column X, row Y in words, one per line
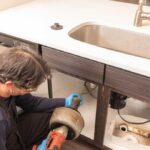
column 74, row 65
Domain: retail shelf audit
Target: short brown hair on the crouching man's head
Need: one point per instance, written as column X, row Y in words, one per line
column 25, row 68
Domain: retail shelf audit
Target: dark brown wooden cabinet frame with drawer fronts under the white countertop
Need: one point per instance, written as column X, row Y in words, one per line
column 108, row 78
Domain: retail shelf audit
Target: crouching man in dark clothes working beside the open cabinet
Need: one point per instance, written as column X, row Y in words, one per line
column 21, row 72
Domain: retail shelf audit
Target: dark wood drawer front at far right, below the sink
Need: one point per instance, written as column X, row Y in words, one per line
column 133, row 84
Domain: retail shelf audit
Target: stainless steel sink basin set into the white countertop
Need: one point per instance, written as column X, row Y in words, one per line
column 125, row 41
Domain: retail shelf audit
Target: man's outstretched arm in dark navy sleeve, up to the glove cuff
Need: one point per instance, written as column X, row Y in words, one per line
column 34, row 103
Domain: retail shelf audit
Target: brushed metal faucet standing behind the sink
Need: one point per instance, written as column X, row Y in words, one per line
column 140, row 14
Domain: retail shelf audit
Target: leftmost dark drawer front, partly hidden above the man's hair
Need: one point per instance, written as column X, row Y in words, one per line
column 8, row 41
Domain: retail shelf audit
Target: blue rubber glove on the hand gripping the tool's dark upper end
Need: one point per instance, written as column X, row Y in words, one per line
column 69, row 99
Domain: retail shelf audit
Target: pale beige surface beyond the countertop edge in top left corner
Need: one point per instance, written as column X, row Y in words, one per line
column 4, row 4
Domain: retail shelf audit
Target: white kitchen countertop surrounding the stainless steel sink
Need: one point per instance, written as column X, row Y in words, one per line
column 31, row 21
